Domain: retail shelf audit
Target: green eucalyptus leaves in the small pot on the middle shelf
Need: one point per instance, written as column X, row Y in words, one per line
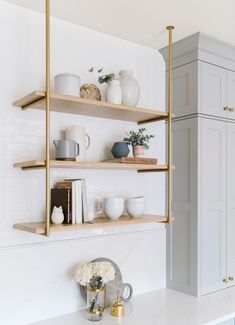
column 138, row 138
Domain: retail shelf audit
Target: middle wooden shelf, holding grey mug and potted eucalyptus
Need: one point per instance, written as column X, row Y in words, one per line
column 91, row 165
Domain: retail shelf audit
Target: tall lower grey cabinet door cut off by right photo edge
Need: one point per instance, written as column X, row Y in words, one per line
column 231, row 202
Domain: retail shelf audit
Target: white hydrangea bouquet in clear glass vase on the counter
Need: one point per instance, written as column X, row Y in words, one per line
column 95, row 275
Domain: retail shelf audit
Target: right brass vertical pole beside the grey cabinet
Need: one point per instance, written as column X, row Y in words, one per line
column 170, row 29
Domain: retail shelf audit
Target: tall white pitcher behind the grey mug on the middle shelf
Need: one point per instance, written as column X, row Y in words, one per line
column 78, row 134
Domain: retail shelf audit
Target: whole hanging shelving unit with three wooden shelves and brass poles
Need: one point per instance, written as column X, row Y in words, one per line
column 47, row 101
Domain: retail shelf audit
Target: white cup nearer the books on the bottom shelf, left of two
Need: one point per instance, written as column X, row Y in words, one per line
column 113, row 207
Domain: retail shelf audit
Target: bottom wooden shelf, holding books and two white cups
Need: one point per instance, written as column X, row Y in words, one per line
column 39, row 227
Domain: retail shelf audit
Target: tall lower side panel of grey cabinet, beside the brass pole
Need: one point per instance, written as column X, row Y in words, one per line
column 181, row 234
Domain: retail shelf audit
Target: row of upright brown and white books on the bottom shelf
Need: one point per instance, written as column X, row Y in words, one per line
column 71, row 195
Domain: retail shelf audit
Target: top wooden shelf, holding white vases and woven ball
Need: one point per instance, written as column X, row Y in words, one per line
column 82, row 106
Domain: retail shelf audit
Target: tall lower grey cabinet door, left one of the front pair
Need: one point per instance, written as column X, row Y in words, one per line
column 213, row 217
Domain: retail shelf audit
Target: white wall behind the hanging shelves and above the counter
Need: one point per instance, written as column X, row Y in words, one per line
column 36, row 272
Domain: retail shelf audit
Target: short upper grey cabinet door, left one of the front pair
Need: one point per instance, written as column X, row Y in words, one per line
column 214, row 90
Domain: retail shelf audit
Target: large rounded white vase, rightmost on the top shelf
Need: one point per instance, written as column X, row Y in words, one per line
column 130, row 88
